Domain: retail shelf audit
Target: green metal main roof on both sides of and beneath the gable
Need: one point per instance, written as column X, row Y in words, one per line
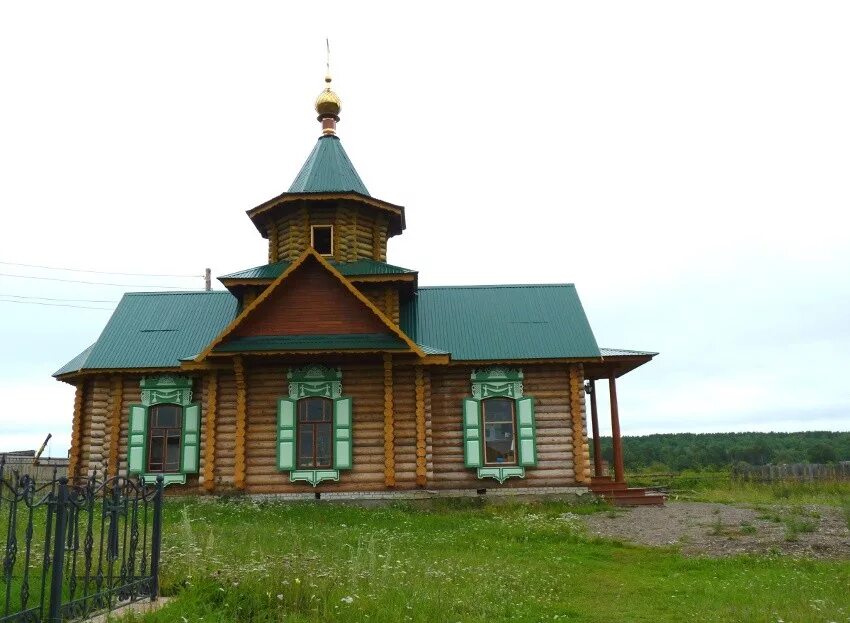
column 159, row 329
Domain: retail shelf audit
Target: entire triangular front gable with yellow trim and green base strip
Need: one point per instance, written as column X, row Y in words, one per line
column 311, row 305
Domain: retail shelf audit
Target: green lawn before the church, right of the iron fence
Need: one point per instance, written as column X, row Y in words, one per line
column 242, row 561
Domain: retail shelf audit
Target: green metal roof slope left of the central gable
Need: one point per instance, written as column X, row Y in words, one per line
column 157, row 330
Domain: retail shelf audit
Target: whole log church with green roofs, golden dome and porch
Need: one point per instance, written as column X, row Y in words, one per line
column 329, row 371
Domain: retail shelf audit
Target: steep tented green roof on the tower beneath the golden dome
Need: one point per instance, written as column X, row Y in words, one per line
column 328, row 169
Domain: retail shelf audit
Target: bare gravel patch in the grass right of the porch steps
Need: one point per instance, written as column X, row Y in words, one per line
column 699, row 528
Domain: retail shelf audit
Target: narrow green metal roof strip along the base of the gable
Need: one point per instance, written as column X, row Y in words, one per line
column 363, row 341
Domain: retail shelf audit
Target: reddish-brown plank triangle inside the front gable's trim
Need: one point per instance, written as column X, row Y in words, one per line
column 311, row 302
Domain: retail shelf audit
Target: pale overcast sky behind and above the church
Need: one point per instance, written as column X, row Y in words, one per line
column 684, row 164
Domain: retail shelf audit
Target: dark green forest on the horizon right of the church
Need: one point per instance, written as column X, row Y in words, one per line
column 679, row 451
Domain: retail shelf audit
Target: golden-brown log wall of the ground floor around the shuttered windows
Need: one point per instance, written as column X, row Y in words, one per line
column 441, row 390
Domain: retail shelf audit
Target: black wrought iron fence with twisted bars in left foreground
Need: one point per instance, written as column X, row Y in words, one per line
column 71, row 549
